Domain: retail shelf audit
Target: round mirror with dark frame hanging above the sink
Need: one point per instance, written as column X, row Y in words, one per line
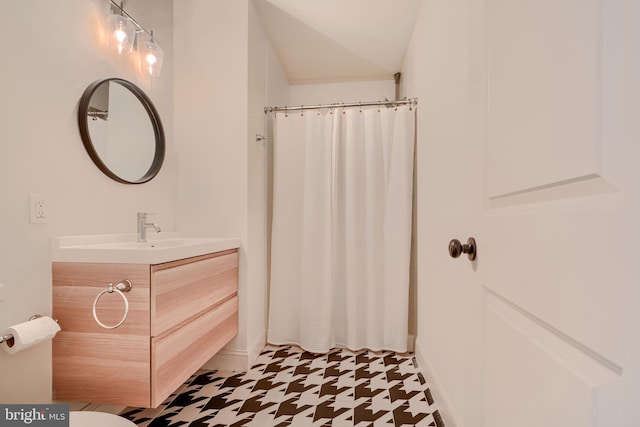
column 121, row 130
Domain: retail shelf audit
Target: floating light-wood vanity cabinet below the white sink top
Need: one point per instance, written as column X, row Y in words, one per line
column 181, row 313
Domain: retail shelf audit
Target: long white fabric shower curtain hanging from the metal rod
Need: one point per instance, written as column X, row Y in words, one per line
column 341, row 233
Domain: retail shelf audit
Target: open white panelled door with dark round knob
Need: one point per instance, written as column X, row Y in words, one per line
column 559, row 234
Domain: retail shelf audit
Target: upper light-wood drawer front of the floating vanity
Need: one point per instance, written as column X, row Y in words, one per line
column 181, row 290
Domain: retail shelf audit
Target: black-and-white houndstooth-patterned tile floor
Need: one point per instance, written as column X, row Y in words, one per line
column 290, row 387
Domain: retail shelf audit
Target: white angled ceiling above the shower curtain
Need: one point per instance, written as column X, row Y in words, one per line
column 339, row 40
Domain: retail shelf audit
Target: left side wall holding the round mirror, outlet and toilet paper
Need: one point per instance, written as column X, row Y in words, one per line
column 51, row 51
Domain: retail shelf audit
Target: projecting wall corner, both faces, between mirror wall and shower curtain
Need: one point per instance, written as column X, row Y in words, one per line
column 224, row 76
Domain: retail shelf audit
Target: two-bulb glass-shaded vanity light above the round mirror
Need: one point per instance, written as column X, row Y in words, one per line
column 124, row 35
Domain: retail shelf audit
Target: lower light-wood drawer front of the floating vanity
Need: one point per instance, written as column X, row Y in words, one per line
column 179, row 353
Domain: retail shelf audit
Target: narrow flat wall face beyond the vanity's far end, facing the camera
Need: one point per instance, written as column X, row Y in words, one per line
column 211, row 101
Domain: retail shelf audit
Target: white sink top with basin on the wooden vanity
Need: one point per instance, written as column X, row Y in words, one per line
column 124, row 249
